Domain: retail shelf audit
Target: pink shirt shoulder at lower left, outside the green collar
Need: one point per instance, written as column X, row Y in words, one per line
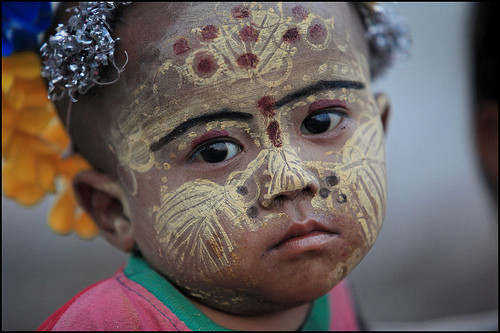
column 116, row 303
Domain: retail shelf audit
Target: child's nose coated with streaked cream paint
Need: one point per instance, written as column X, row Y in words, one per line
column 289, row 178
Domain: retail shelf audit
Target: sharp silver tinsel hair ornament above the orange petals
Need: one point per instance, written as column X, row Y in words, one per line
column 73, row 58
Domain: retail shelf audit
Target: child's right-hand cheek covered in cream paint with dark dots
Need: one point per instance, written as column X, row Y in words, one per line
column 356, row 183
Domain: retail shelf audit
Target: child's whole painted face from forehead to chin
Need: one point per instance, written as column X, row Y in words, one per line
column 251, row 149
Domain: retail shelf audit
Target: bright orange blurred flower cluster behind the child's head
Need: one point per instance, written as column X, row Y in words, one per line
column 33, row 139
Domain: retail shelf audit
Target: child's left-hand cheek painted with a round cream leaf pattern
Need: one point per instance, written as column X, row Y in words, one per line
column 198, row 225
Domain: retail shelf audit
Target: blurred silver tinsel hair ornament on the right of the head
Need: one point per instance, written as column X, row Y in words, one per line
column 387, row 35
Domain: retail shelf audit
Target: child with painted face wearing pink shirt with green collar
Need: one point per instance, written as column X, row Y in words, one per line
column 238, row 155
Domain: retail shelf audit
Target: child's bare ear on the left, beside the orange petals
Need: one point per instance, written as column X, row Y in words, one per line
column 104, row 200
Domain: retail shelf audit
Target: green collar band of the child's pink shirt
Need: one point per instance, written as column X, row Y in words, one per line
column 139, row 271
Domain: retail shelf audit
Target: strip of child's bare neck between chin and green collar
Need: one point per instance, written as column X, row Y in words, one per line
column 287, row 320
